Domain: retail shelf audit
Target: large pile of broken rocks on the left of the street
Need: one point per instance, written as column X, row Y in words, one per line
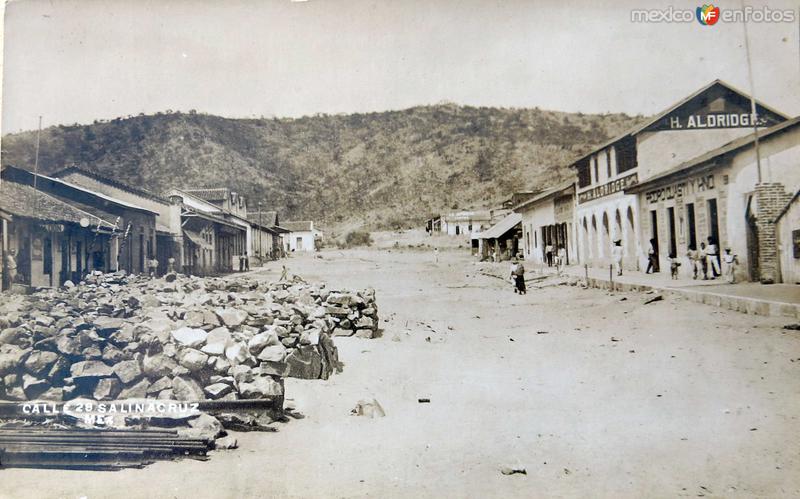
column 181, row 338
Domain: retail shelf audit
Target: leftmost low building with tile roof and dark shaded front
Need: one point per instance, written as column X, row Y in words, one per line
column 52, row 241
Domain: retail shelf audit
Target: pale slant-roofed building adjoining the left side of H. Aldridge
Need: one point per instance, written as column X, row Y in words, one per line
column 548, row 219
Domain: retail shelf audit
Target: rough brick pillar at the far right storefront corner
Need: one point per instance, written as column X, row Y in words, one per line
column 771, row 199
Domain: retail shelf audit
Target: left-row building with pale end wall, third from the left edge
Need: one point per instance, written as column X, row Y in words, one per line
column 169, row 236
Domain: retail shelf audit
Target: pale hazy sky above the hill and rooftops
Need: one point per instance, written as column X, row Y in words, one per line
column 81, row 60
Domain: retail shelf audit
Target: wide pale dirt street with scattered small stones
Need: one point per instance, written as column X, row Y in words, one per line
column 590, row 393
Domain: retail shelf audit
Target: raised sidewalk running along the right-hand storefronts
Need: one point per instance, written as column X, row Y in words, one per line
column 778, row 300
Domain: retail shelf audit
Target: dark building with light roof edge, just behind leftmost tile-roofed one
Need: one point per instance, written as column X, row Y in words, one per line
column 133, row 243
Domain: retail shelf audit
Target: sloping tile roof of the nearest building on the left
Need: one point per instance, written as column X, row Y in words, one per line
column 25, row 201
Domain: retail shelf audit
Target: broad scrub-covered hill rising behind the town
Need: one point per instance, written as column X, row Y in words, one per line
column 383, row 170
